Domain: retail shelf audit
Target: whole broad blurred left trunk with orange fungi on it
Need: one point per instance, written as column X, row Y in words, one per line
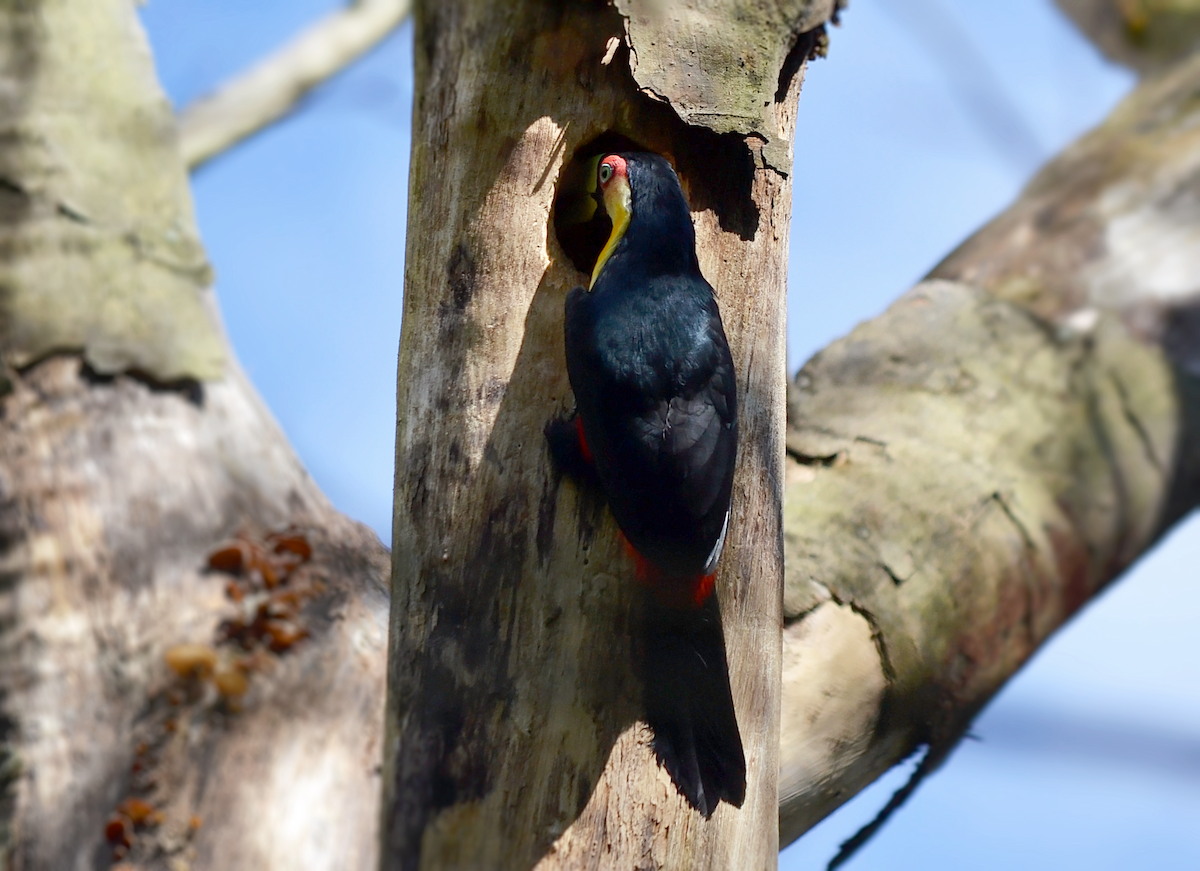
column 131, row 447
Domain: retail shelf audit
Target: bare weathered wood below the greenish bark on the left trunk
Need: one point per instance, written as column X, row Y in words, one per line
column 115, row 492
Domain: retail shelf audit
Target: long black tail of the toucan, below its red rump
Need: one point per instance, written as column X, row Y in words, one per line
column 689, row 705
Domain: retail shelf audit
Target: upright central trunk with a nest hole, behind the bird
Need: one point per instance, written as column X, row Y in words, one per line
column 513, row 714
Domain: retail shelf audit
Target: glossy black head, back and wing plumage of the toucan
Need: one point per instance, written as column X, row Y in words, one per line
column 655, row 381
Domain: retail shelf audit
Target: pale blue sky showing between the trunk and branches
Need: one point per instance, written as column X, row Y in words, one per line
column 925, row 122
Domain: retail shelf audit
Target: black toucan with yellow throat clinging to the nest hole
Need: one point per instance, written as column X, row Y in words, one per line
column 656, row 428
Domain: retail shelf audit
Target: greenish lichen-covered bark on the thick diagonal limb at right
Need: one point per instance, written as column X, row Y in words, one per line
column 967, row 478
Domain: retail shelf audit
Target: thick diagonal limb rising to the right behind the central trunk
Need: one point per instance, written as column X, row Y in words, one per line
column 970, row 468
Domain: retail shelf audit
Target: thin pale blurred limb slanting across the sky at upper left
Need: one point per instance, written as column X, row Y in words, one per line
column 271, row 89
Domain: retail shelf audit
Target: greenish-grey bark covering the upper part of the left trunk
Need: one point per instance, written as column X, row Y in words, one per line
column 122, row 279
